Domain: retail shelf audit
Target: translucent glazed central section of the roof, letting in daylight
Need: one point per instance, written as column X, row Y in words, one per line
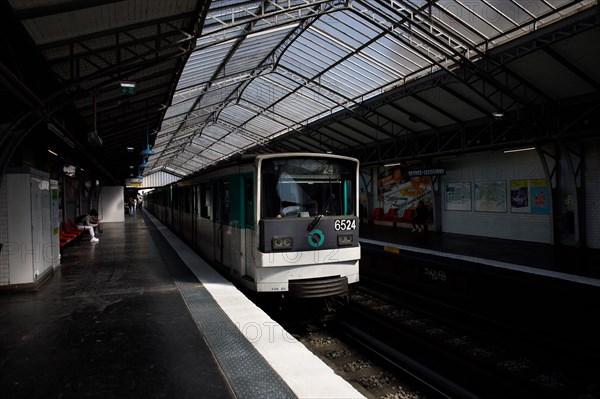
column 261, row 69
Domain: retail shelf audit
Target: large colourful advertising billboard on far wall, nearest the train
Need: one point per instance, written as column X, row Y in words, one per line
column 399, row 191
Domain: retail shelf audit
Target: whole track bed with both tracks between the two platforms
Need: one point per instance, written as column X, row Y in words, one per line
column 391, row 350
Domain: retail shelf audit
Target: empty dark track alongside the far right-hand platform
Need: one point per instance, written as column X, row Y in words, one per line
column 457, row 361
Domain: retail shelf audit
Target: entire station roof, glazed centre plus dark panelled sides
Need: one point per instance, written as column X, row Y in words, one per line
column 378, row 80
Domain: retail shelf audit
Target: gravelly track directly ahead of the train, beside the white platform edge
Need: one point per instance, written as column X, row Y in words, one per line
column 370, row 364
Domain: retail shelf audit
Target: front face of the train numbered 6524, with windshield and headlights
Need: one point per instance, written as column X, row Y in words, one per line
column 307, row 236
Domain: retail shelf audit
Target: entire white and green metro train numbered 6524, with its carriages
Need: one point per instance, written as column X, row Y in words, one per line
column 285, row 223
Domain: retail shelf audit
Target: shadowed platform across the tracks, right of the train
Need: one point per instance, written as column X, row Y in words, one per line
column 572, row 264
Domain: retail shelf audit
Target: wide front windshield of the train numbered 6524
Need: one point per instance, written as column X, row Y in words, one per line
column 307, row 187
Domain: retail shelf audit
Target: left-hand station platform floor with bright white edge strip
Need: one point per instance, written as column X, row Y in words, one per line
column 140, row 315
